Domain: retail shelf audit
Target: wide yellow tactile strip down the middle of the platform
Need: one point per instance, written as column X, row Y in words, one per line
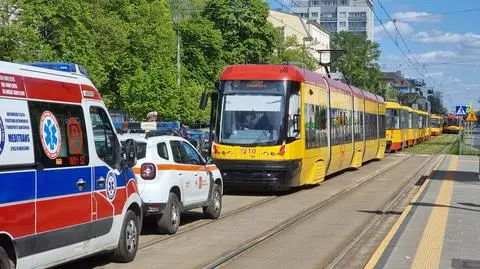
column 430, row 248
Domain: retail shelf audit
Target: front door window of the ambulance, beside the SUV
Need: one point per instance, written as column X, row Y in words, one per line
column 106, row 143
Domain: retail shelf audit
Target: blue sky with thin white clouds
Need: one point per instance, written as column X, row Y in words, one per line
column 441, row 39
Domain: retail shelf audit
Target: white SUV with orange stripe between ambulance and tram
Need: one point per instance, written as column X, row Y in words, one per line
column 173, row 177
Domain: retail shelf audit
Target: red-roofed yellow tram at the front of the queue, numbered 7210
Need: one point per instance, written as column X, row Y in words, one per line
column 280, row 126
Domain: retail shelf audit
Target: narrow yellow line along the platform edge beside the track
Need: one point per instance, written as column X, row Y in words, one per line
column 386, row 241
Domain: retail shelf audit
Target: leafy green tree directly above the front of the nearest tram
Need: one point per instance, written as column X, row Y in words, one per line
column 248, row 36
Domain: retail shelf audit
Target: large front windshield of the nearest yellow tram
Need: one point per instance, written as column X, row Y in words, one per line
column 252, row 112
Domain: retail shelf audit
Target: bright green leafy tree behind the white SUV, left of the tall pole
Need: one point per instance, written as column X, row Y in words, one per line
column 148, row 78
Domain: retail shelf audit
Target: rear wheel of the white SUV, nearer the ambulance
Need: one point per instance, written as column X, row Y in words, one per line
column 169, row 221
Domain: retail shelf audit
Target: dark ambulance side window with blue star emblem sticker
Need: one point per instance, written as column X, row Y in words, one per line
column 59, row 134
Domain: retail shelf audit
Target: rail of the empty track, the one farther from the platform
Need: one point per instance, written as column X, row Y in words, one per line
column 296, row 219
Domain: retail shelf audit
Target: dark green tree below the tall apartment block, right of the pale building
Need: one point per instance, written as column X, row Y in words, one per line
column 359, row 61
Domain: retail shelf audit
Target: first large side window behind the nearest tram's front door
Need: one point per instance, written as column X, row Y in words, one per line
column 315, row 126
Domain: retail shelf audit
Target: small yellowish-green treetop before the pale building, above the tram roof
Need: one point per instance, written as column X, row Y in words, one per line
column 290, row 50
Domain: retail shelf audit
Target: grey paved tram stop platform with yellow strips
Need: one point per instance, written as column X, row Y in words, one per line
column 440, row 228
